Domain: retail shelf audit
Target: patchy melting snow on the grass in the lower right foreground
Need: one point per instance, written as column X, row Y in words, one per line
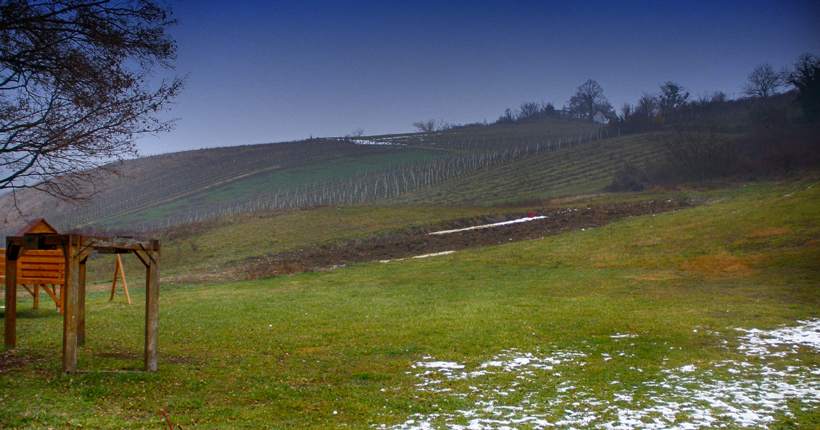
column 744, row 393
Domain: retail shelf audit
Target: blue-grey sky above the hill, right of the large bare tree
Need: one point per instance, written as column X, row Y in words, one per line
column 274, row 71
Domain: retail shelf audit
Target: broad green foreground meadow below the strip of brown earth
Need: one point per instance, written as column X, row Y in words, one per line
column 635, row 324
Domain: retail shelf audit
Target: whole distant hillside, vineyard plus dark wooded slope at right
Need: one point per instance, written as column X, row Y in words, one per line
column 478, row 165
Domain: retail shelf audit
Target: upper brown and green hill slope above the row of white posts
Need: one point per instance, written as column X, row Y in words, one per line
column 181, row 183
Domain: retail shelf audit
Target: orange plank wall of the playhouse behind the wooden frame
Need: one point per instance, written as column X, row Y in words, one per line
column 36, row 269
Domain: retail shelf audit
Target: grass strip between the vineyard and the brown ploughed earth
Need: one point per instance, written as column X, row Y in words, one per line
column 216, row 246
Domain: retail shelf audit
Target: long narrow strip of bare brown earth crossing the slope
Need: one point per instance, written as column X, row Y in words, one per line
column 416, row 242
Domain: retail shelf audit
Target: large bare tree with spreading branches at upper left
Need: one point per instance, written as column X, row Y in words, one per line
column 76, row 89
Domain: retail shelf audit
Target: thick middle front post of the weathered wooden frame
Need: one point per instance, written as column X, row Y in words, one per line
column 72, row 304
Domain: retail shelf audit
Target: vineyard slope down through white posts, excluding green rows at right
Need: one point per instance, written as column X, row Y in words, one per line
column 172, row 189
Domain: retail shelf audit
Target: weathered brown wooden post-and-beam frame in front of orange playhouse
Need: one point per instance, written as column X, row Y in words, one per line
column 75, row 250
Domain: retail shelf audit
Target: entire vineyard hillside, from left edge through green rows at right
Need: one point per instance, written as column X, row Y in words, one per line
column 480, row 165
